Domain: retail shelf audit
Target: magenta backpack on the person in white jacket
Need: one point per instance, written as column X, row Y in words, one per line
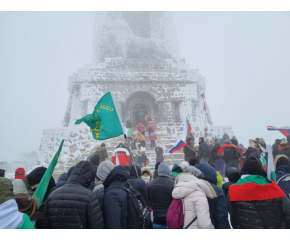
column 175, row 215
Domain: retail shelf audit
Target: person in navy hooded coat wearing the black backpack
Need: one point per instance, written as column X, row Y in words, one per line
column 116, row 199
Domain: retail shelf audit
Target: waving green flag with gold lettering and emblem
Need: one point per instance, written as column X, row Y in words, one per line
column 104, row 121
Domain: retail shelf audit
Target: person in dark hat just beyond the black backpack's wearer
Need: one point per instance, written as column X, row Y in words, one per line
column 135, row 181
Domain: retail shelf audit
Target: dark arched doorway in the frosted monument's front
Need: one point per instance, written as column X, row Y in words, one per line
column 138, row 105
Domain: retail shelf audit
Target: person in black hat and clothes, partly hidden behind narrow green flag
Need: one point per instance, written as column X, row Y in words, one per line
column 34, row 178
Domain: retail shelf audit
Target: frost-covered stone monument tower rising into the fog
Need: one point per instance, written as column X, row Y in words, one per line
column 136, row 56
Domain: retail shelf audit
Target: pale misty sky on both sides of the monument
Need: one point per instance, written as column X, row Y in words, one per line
column 244, row 57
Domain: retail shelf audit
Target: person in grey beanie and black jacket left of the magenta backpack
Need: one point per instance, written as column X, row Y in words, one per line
column 159, row 192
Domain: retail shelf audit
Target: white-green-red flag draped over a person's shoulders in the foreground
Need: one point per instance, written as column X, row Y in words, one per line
column 254, row 188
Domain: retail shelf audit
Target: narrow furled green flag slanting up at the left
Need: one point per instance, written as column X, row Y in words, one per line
column 42, row 186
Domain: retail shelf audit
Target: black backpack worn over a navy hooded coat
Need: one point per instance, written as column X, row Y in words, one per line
column 138, row 211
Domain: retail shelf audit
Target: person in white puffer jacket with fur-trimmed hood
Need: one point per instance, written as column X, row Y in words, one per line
column 194, row 193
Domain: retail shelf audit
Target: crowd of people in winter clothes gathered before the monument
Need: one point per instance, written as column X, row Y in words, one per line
column 219, row 185
